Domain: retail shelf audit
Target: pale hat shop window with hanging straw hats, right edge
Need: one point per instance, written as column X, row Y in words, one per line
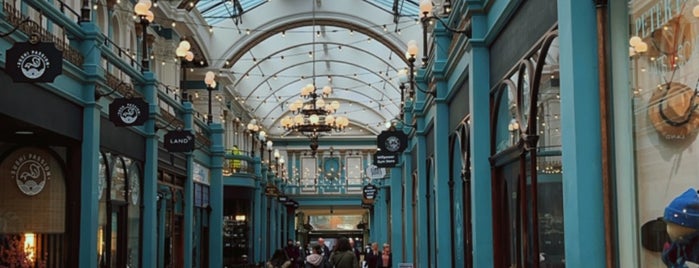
column 664, row 64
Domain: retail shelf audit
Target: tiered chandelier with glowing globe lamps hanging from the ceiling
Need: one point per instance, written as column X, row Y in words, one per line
column 313, row 115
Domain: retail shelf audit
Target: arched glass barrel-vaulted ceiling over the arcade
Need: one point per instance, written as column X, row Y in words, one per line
column 271, row 49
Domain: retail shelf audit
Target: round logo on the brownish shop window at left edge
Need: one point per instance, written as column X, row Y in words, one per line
column 31, row 172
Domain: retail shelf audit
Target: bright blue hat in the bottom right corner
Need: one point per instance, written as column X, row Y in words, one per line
column 684, row 210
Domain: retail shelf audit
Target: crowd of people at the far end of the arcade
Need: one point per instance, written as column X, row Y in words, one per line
column 343, row 255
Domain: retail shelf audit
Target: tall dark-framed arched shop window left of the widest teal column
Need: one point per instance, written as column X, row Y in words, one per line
column 528, row 166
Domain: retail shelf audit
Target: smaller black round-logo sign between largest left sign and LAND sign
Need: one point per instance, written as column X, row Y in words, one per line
column 125, row 112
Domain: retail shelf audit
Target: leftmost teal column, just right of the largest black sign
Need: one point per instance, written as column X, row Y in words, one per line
column 89, row 154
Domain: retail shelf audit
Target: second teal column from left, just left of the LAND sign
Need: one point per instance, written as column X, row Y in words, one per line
column 150, row 178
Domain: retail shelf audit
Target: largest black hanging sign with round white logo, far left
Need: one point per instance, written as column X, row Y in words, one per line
column 39, row 62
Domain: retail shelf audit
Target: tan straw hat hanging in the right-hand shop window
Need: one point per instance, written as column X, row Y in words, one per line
column 672, row 111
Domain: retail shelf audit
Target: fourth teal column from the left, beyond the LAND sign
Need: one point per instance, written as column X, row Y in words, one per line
column 216, row 196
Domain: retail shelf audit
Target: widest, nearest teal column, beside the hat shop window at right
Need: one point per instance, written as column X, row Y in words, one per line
column 580, row 128
